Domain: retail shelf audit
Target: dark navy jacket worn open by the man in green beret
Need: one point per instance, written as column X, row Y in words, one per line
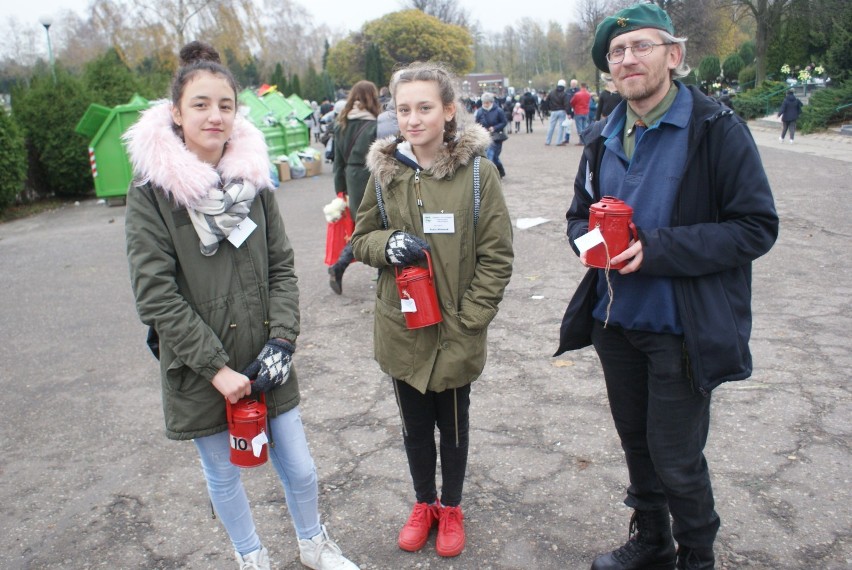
column 724, row 218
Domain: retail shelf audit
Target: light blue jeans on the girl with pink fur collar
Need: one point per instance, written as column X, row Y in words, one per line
column 295, row 466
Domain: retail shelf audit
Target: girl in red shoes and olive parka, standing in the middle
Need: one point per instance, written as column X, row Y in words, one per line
column 432, row 168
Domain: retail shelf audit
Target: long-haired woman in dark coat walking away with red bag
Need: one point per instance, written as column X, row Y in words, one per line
column 354, row 132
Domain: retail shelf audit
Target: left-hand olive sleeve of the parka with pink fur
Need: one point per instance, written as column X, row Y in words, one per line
column 153, row 276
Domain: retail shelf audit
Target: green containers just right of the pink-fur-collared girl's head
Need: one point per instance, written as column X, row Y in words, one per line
column 276, row 118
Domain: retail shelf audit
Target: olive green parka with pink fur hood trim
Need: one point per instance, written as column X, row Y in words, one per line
column 209, row 311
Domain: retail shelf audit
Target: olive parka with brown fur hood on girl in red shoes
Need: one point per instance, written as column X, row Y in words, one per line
column 472, row 265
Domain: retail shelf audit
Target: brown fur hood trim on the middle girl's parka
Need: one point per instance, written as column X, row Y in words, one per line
column 473, row 140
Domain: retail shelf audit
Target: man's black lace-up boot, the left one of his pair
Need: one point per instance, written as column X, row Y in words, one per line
column 650, row 546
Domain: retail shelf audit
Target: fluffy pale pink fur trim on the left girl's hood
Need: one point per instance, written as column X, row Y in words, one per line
column 160, row 157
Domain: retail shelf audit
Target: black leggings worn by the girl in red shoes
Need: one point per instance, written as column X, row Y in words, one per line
column 420, row 413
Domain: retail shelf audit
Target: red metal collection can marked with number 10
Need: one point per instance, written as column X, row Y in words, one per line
column 247, row 431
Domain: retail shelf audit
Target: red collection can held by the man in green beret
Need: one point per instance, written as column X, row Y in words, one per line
column 615, row 220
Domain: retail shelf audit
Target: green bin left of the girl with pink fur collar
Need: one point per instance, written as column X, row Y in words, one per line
column 111, row 168
